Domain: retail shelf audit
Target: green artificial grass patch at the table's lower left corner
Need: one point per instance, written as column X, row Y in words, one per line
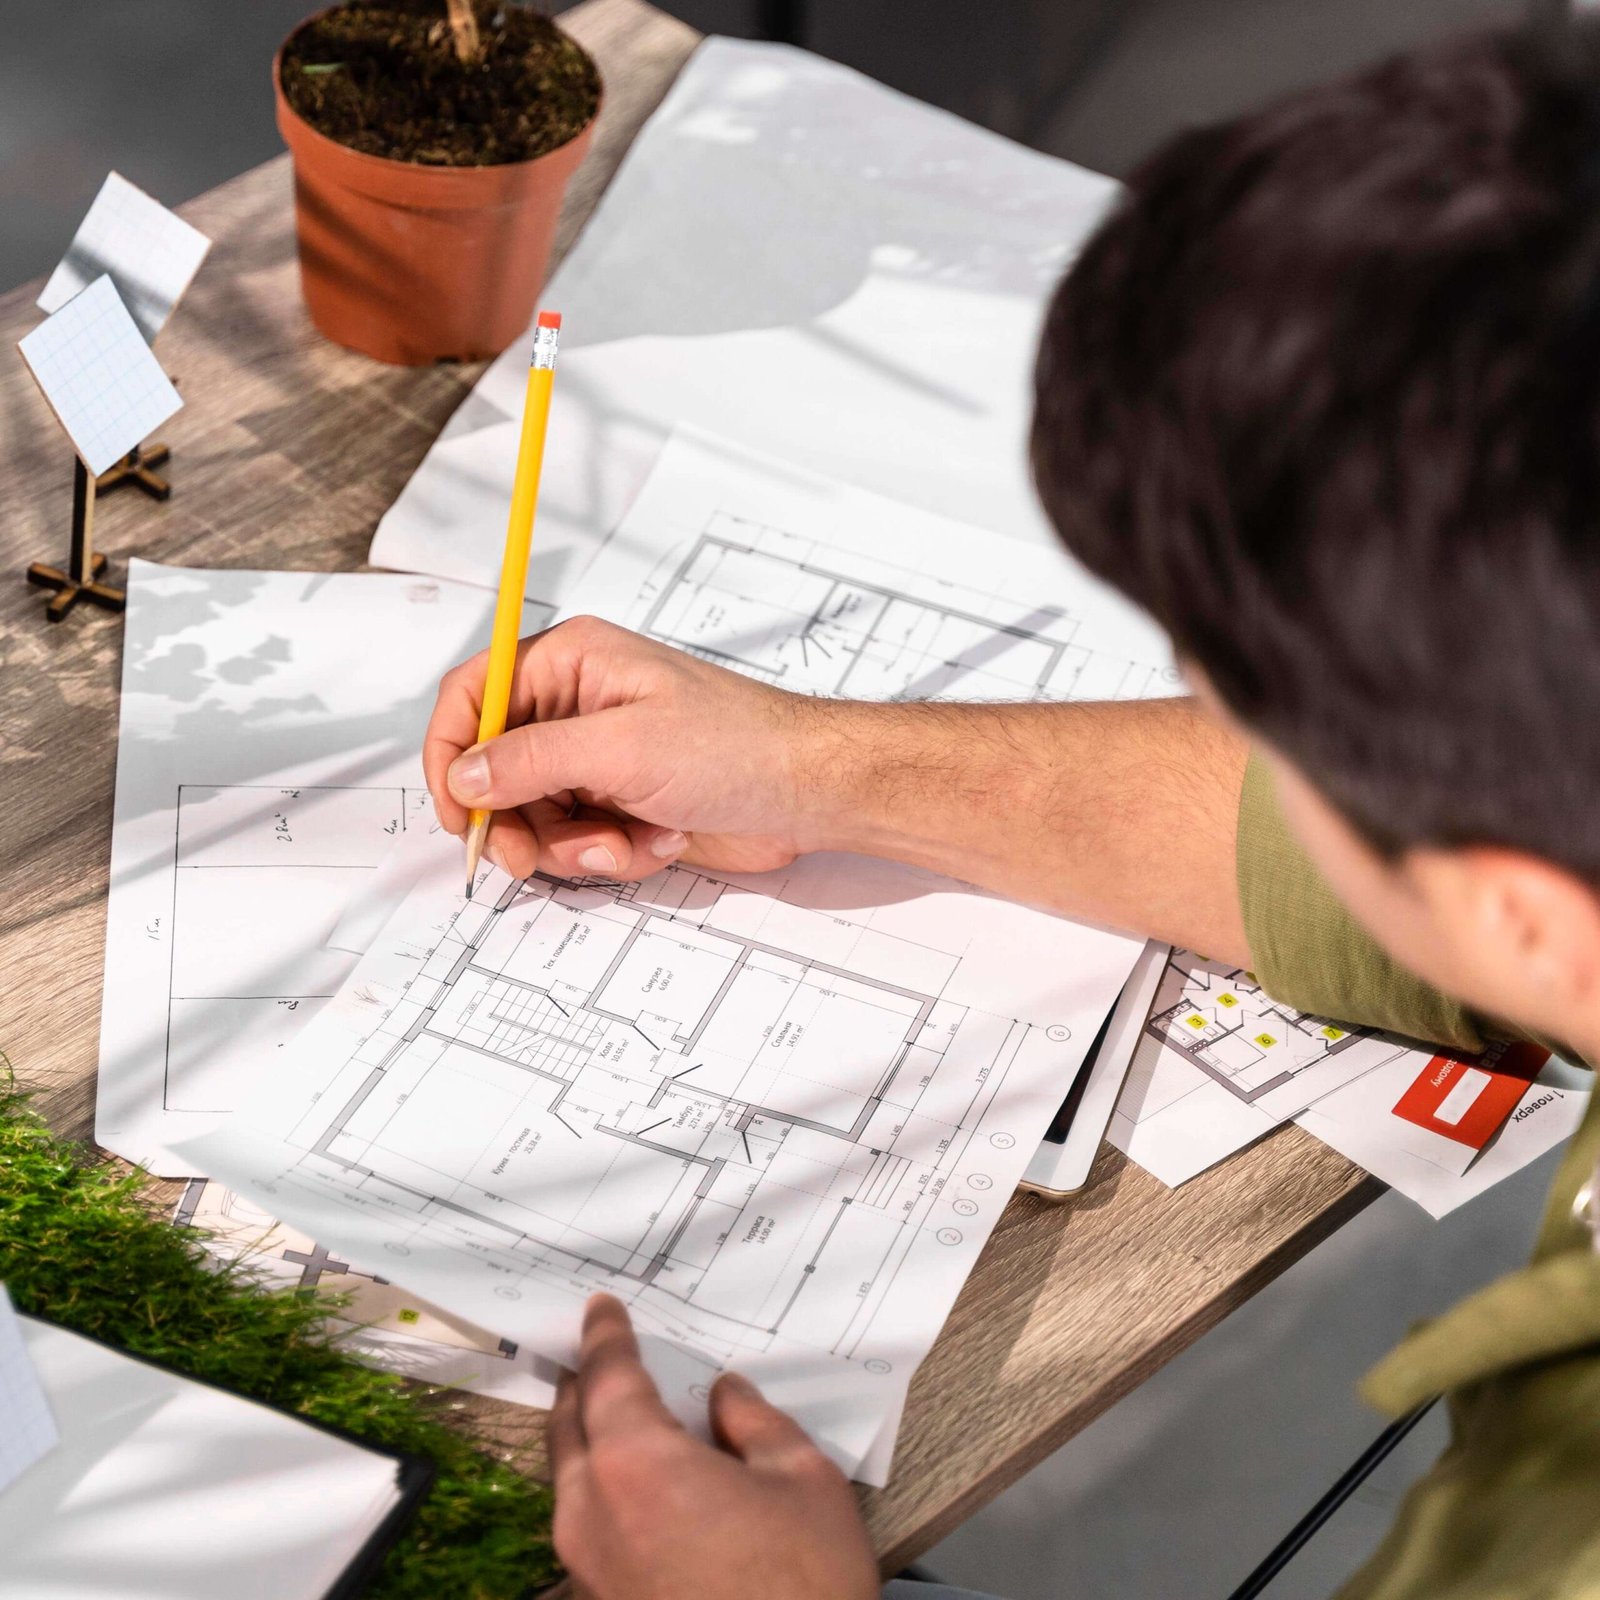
column 79, row 1247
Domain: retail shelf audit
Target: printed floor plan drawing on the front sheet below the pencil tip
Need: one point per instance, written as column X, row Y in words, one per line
column 751, row 1108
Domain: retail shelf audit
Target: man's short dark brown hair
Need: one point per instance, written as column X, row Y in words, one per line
column 1324, row 396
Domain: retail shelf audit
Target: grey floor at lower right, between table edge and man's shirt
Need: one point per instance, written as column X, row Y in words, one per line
column 1183, row 1487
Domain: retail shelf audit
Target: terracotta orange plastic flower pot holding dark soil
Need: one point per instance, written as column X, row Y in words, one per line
column 412, row 263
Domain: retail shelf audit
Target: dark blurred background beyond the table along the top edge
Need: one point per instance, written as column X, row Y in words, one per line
column 175, row 92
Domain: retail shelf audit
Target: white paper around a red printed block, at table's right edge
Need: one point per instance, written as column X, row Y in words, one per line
column 1359, row 1126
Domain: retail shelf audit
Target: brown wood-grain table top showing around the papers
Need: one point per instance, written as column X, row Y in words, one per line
column 286, row 457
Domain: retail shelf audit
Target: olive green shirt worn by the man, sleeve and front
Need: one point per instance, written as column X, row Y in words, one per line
column 1511, row 1511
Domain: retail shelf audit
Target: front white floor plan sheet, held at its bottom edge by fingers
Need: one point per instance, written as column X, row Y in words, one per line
column 777, row 1114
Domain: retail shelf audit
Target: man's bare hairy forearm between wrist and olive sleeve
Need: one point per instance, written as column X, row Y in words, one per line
column 1121, row 814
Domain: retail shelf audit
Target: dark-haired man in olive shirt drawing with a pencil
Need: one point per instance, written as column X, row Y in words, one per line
column 1324, row 396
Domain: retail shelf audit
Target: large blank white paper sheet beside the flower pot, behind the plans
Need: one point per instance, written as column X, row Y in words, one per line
column 796, row 257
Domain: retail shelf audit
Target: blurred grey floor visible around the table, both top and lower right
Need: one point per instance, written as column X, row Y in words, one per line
column 1185, row 1486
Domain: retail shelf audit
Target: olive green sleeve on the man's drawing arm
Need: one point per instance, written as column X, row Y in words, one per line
column 1310, row 951
